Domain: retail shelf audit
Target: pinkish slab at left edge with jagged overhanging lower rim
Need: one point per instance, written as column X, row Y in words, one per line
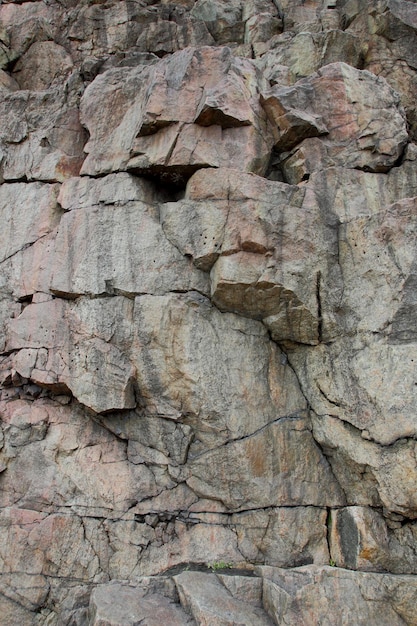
column 70, row 355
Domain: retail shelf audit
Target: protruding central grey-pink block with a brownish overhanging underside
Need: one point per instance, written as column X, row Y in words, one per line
column 245, row 221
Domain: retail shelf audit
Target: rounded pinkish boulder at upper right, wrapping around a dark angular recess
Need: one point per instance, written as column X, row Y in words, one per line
column 359, row 136
